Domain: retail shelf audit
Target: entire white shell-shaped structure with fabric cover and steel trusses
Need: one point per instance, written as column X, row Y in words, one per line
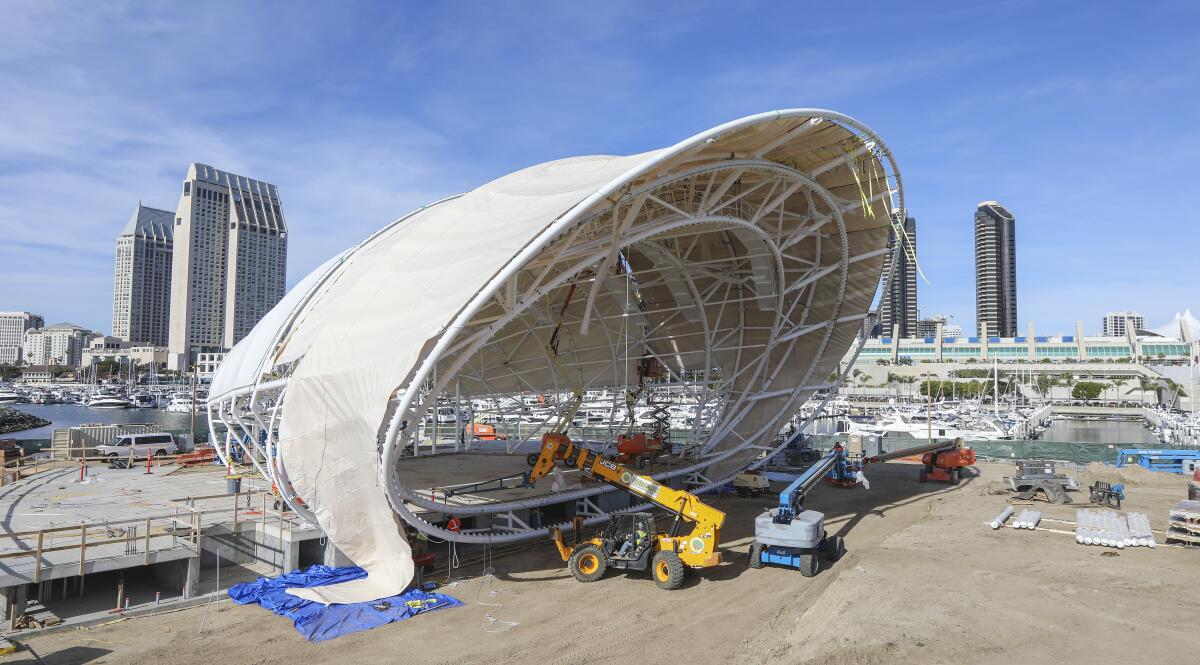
column 742, row 260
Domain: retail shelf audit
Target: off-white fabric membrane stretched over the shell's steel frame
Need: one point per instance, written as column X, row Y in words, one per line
column 362, row 333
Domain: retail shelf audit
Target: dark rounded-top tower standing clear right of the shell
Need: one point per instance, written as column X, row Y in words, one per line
column 995, row 271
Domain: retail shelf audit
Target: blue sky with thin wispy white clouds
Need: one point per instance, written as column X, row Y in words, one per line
column 1081, row 117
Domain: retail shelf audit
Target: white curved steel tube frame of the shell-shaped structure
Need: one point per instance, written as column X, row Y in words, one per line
column 247, row 418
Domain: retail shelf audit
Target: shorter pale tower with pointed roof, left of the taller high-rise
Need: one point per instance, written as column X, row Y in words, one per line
column 142, row 280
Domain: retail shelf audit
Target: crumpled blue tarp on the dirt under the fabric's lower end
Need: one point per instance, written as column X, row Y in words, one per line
column 320, row 622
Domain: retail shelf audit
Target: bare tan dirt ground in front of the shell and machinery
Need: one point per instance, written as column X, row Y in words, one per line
column 925, row 582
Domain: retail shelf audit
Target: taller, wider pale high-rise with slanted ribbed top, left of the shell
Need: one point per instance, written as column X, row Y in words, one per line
column 230, row 261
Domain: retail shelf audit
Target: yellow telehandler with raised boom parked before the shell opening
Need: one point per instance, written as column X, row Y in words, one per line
column 631, row 541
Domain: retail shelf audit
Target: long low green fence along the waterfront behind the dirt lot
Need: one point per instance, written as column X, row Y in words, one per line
column 1081, row 453
